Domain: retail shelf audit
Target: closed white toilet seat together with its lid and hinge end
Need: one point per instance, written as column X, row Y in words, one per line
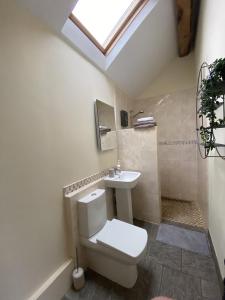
column 119, row 239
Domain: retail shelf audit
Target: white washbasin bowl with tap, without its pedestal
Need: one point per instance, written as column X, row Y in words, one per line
column 124, row 180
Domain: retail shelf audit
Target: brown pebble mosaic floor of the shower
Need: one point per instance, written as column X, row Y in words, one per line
column 183, row 212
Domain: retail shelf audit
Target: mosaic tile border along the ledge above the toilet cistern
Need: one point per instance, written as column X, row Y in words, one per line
column 70, row 188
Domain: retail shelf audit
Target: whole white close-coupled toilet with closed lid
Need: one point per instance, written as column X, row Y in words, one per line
column 114, row 247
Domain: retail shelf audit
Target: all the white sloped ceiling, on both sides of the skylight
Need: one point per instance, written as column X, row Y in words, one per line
column 151, row 48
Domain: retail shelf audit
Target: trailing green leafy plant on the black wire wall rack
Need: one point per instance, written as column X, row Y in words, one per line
column 212, row 89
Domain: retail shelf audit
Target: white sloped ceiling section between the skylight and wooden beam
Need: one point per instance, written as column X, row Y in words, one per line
column 150, row 49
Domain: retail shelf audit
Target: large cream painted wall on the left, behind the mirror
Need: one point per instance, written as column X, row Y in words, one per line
column 47, row 130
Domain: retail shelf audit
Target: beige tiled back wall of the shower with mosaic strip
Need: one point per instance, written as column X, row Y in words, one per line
column 175, row 116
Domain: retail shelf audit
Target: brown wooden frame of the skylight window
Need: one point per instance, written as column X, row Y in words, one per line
column 118, row 32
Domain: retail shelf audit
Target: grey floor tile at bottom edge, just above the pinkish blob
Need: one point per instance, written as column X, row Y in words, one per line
column 180, row 286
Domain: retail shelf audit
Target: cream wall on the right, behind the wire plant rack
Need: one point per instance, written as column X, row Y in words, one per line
column 211, row 45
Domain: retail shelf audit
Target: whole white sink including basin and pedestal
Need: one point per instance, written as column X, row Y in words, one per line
column 123, row 183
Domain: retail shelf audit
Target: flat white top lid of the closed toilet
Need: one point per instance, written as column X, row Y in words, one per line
column 126, row 238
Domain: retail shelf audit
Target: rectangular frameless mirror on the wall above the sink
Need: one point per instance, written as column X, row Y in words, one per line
column 105, row 126
